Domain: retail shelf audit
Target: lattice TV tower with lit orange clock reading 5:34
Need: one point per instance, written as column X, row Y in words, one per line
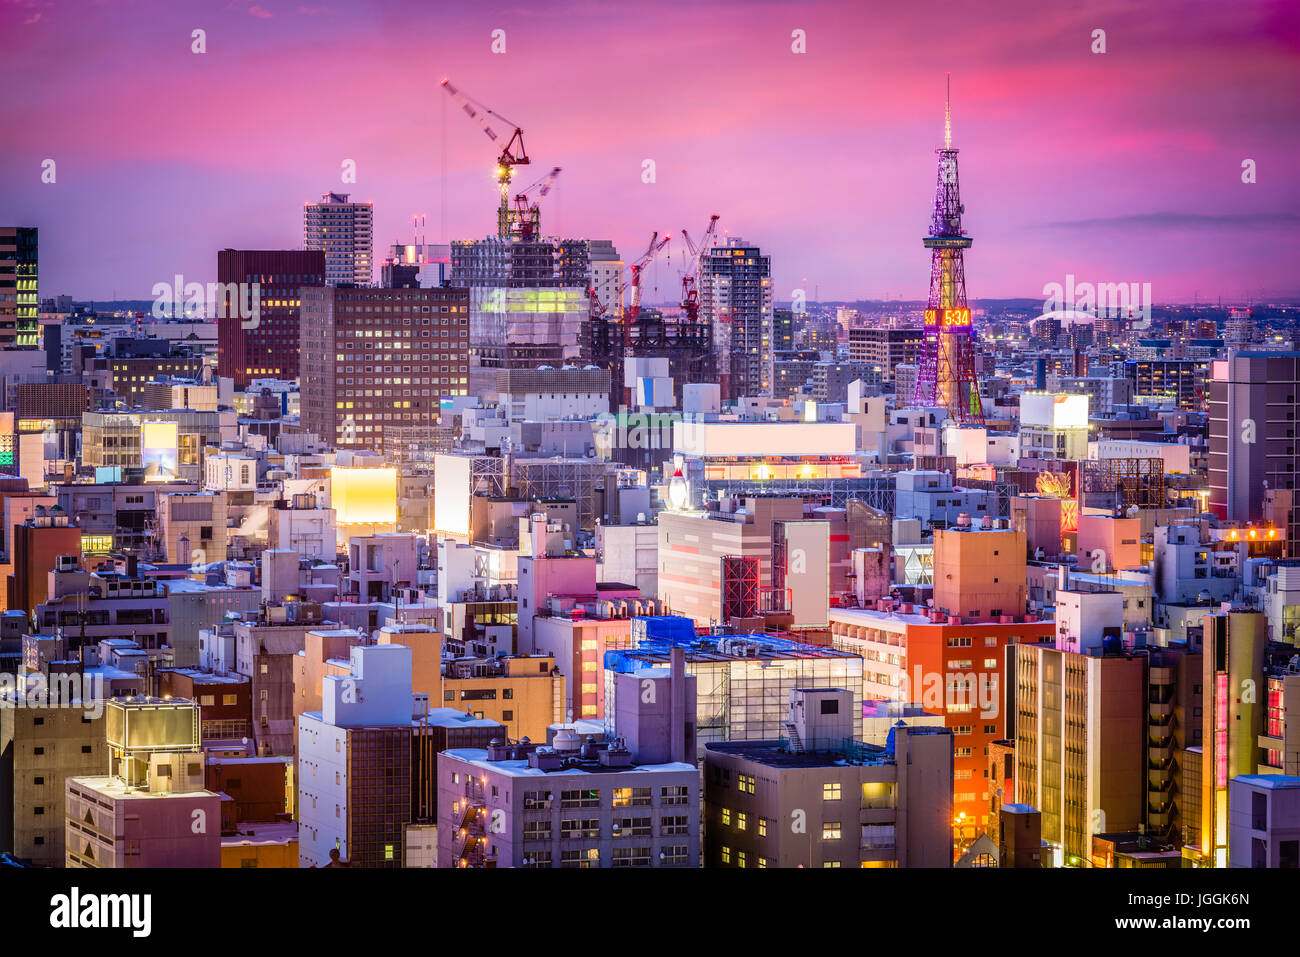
column 947, row 374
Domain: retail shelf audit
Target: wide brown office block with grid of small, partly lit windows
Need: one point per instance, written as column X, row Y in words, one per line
column 380, row 358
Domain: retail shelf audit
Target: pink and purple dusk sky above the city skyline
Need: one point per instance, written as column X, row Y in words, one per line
column 1124, row 167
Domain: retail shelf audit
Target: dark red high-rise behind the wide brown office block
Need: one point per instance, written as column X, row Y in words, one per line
column 266, row 347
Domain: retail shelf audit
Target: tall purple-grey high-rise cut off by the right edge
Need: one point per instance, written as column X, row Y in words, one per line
column 1254, row 404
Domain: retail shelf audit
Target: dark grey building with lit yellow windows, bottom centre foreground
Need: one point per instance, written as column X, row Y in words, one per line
column 821, row 799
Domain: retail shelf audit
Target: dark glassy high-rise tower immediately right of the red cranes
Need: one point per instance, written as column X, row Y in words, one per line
column 736, row 300
